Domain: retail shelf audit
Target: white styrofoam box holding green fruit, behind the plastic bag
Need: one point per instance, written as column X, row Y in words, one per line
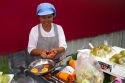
column 116, row 70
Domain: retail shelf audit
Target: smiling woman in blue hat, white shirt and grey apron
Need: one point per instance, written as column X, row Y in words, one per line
column 46, row 40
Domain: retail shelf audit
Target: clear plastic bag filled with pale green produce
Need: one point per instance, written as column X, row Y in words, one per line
column 88, row 69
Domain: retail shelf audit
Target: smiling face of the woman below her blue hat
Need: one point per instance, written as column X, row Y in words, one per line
column 46, row 19
